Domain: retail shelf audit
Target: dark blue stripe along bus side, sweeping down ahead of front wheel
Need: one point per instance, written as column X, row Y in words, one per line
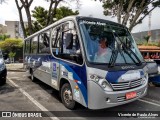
column 79, row 72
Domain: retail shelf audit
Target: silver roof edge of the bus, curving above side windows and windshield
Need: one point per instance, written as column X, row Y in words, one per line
column 73, row 18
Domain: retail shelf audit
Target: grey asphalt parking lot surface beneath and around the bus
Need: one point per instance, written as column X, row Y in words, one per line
column 21, row 94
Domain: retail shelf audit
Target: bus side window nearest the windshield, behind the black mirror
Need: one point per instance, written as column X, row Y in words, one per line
column 72, row 54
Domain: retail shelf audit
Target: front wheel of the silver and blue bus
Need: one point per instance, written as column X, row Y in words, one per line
column 67, row 96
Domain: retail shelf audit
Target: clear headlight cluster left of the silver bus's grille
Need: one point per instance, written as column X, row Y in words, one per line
column 102, row 82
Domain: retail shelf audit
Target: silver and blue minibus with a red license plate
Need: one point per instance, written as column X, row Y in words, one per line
column 90, row 61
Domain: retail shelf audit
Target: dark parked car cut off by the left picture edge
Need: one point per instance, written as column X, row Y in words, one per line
column 3, row 70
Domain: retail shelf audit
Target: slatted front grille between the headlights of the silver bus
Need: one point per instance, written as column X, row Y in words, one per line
column 126, row 85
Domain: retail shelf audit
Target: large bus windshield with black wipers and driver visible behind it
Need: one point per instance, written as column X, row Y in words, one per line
column 109, row 43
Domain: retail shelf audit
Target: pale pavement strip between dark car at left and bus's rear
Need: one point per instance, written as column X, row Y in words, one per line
column 15, row 67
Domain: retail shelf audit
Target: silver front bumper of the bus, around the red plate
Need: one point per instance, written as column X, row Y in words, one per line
column 100, row 99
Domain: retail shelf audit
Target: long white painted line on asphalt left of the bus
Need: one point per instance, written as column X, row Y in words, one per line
column 33, row 100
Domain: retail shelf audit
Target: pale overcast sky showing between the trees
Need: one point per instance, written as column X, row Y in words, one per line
column 8, row 11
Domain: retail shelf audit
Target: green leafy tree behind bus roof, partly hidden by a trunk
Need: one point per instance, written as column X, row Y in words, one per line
column 40, row 14
